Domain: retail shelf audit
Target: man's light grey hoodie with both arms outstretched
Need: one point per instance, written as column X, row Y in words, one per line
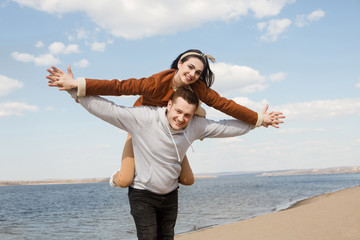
column 158, row 149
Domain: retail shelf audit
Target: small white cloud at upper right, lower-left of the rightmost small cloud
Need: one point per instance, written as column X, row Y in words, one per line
column 273, row 28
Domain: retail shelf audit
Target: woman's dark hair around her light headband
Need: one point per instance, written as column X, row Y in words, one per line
column 207, row 76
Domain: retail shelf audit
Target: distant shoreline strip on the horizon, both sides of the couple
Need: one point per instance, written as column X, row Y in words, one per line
column 337, row 170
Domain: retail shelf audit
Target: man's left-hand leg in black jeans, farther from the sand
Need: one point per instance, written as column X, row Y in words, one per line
column 143, row 210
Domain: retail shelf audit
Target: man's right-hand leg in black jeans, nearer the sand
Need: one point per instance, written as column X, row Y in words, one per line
column 166, row 216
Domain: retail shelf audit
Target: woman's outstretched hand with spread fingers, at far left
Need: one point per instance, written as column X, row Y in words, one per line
column 60, row 79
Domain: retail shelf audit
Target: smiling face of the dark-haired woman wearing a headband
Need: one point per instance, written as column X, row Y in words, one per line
column 190, row 71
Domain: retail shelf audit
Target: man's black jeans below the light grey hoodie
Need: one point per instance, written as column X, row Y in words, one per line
column 154, row 215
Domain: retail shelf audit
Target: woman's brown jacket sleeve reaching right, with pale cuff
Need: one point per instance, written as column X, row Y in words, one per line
column 229, row 107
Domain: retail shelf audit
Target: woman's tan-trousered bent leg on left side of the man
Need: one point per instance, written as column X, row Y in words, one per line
column 125, row 176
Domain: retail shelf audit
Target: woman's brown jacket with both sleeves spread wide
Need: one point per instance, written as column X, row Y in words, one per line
column 157, row 90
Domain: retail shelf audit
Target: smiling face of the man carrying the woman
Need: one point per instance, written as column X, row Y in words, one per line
column 179, row 113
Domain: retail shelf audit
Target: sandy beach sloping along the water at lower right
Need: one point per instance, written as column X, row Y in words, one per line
column 332, row 216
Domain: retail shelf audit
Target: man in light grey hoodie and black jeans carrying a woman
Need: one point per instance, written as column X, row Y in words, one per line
column 161, row 137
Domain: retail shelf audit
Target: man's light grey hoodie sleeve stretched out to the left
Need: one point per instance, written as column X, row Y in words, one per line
column 119, row 116
